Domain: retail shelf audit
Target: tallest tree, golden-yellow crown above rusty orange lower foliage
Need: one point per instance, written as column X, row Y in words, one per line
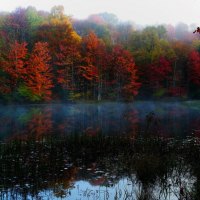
column 64, row 48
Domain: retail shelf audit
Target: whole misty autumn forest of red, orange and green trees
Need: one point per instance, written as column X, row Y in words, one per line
column 49, row 56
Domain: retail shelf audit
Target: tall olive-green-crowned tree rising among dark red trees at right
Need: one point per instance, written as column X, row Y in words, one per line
column 148, row 47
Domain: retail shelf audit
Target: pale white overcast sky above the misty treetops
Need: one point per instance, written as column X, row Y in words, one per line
column 140, row 11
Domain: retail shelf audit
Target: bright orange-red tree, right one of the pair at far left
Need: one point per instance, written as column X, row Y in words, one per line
column 39, row 77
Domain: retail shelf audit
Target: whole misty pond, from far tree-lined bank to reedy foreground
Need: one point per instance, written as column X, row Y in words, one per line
column 141, row 150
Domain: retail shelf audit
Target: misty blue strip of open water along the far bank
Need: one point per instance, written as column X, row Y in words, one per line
column 165, row 119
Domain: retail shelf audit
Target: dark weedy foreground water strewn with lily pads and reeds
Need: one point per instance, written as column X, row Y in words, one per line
column 156, row 168
